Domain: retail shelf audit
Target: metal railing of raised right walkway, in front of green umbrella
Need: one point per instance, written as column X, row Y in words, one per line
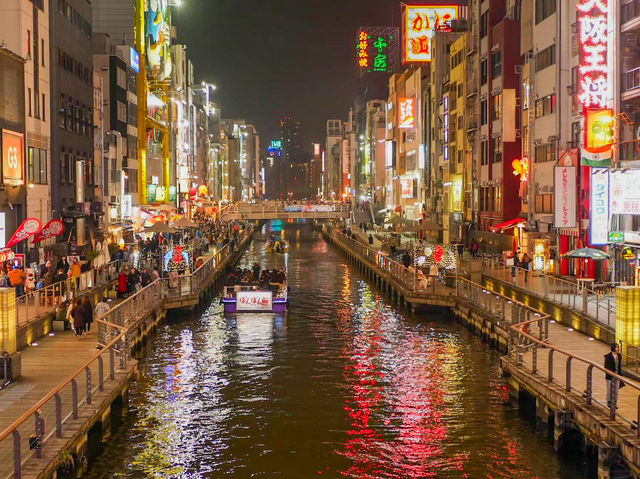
column 598, row 307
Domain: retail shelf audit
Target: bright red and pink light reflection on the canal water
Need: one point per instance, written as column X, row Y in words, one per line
column 396, row 403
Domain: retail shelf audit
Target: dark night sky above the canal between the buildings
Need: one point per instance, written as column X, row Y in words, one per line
column 271, row 58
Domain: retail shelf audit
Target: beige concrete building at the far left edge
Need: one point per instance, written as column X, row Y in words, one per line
column 24, row 36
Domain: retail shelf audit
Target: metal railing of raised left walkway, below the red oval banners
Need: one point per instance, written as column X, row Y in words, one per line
column 31, row 305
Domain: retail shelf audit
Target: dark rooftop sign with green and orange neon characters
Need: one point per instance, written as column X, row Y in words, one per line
column 377, row 49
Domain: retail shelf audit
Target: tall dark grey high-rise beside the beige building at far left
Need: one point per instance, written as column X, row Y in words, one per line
column 72, row 165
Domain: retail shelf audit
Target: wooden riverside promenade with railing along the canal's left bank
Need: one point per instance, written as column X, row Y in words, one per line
column 72, row 391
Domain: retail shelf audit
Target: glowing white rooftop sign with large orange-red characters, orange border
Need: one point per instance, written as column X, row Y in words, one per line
column 420, row 24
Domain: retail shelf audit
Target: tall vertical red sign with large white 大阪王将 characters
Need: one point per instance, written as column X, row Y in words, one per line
column 593, row 37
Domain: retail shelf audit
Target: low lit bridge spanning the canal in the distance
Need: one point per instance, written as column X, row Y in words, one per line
column 280, row 211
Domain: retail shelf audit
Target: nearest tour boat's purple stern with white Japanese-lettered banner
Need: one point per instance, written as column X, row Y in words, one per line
column 243, row 298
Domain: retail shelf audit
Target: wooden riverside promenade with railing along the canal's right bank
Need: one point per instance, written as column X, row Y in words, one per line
column 551, row 368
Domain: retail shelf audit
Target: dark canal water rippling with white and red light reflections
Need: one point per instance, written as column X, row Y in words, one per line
column 343, row 385
